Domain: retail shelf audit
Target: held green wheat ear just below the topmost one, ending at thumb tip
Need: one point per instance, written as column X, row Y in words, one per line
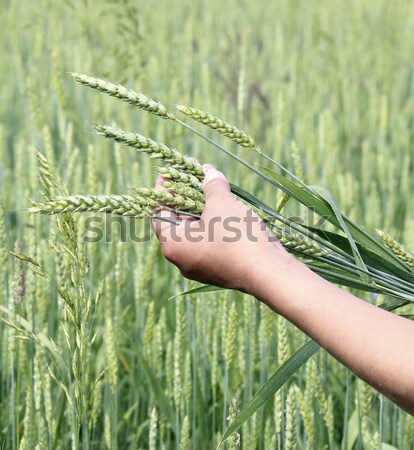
column 155, row 150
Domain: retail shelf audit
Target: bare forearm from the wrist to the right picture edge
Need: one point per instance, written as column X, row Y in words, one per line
column 373, row 343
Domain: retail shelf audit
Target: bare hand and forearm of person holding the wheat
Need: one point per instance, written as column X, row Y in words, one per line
column 375, row 344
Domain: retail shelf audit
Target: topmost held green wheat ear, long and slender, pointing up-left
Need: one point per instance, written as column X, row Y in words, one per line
column 124, row 94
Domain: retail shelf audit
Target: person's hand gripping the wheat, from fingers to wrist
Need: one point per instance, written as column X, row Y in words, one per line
column 226, row 246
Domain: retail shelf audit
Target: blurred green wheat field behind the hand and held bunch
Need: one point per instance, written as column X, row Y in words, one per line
column 94, row 355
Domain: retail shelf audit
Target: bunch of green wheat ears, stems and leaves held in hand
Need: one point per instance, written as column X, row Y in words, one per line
column 352, row 257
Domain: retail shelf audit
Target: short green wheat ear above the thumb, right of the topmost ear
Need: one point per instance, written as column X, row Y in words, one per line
column 231, row 131
